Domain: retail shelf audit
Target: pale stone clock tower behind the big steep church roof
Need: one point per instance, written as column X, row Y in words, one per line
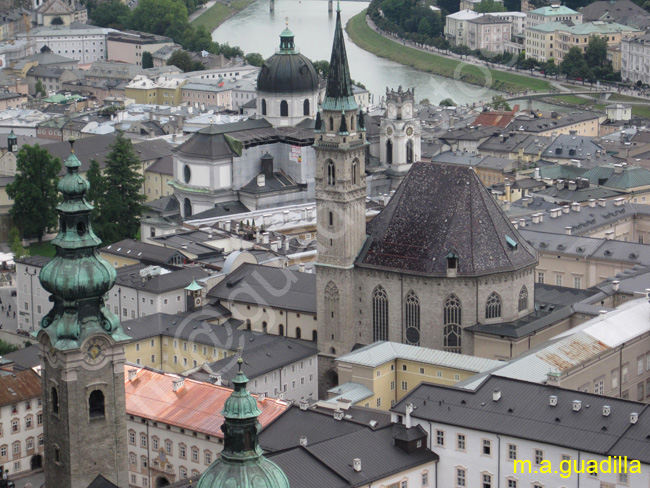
column 399, row 132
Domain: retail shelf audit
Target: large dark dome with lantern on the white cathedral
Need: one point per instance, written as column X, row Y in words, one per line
column 287, row 71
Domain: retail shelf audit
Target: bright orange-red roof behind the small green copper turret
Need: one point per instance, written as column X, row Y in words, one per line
column 196, row 405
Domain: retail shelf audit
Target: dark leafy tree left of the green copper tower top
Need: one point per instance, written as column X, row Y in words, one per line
column 34, row 191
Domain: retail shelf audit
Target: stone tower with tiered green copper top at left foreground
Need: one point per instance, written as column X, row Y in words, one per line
column 82, row 352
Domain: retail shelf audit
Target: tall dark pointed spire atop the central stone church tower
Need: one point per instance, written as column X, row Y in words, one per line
column 338, row 94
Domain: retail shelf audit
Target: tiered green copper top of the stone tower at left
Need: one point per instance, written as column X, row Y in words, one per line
column 77, row 277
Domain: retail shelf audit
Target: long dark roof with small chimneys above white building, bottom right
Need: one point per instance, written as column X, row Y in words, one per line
column 524, row 412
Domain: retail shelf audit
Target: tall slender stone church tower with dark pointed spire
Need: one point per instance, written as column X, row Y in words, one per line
column 340, row 145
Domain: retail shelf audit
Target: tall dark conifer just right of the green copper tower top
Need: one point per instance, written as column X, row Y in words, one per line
column 120, row 202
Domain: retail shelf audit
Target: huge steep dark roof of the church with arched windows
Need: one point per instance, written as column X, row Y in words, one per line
column 438, row 210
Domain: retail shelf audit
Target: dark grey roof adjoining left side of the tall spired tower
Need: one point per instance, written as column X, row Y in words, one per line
column 275, row 287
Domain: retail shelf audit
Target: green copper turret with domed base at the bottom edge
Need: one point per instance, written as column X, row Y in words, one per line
column 242, row 463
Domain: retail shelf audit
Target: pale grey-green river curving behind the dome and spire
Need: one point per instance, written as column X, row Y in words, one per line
column 255, row 29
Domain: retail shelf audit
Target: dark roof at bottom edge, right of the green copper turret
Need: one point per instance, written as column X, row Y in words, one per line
column 376, row 449
